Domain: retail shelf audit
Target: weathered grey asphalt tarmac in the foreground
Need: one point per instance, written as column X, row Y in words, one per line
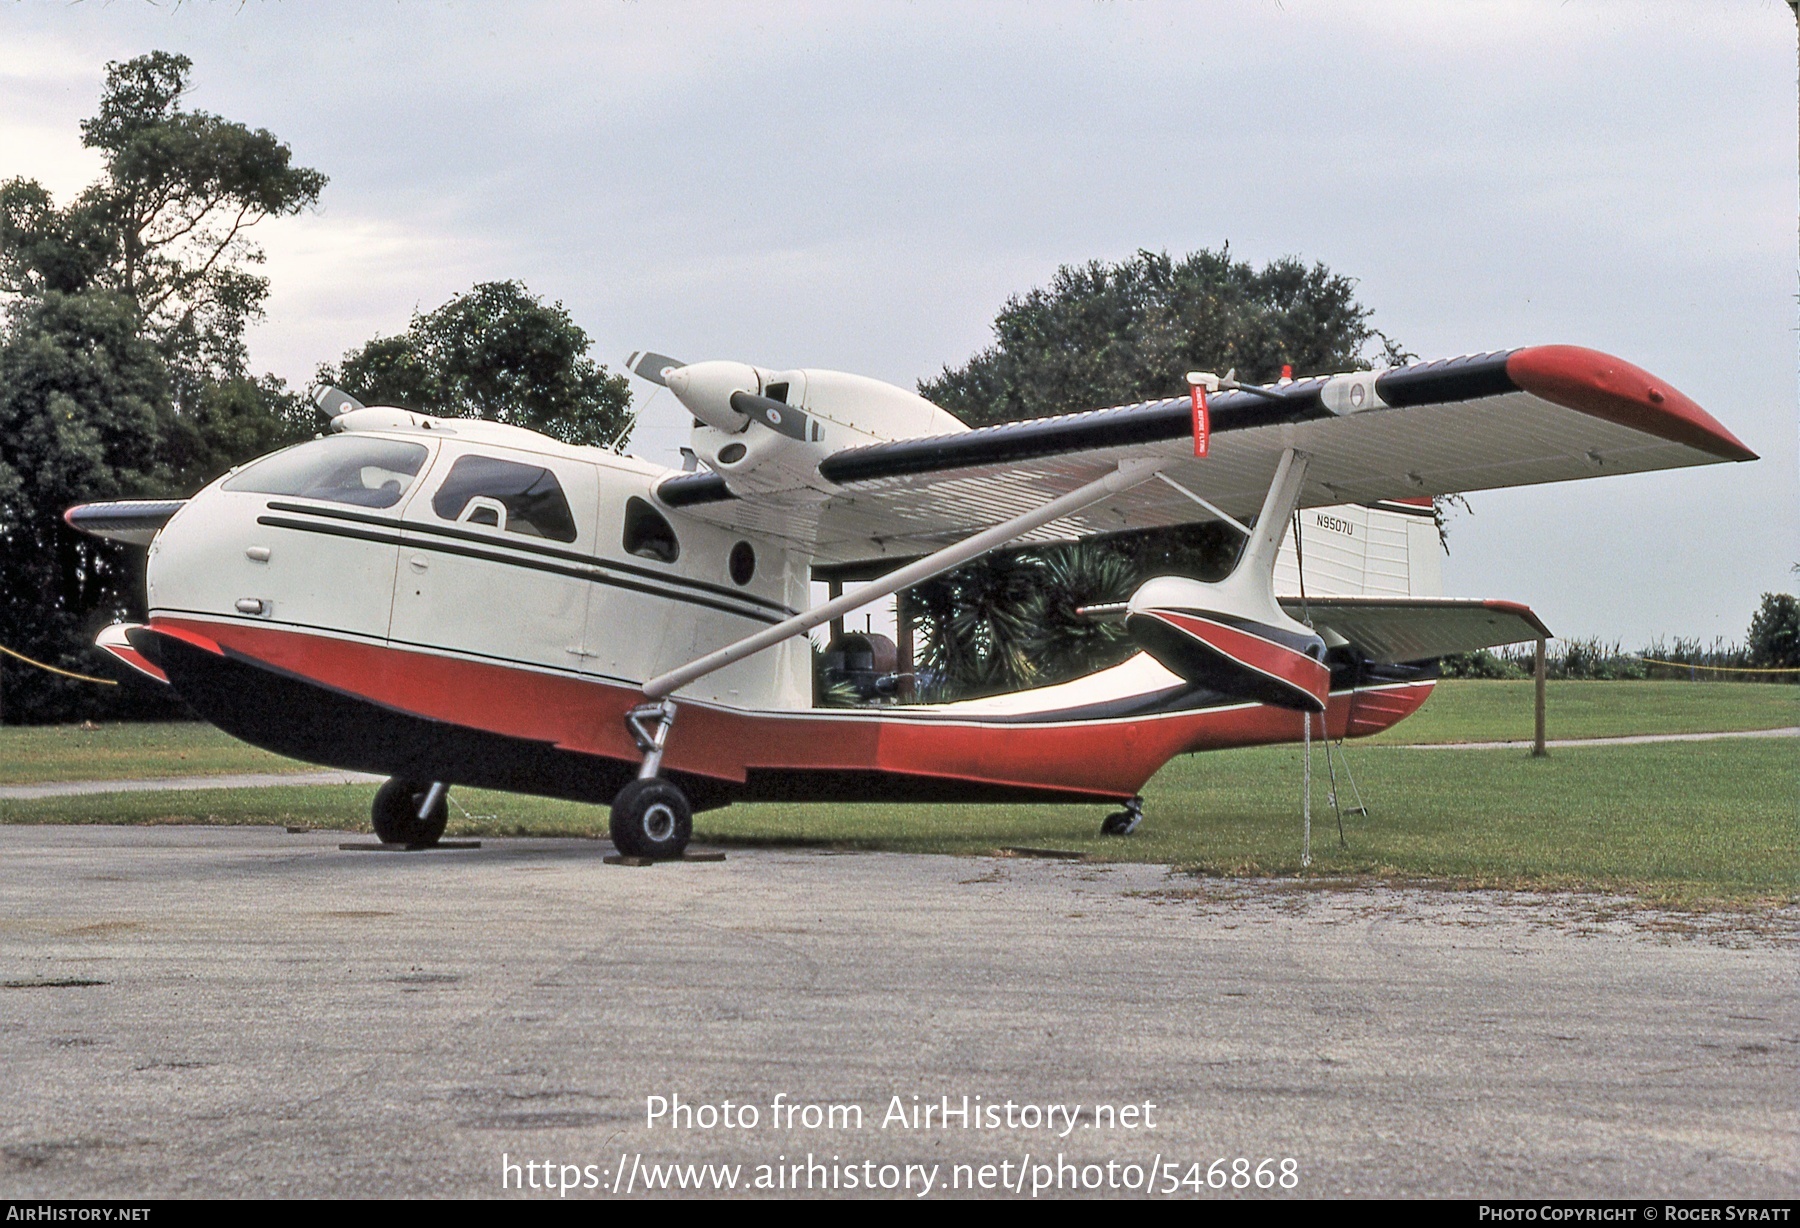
column 249, row 1013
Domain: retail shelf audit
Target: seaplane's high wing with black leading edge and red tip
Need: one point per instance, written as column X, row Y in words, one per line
column 1482, row 422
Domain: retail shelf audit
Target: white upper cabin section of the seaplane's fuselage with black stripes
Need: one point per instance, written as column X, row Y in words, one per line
column 445, row 568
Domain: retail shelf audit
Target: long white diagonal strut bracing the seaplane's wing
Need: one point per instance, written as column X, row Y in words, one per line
column 1128, row 476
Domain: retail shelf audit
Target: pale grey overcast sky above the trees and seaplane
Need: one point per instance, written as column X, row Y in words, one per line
column 861, row 186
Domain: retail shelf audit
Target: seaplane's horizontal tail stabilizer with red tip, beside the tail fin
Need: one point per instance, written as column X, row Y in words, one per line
column 1419, row 629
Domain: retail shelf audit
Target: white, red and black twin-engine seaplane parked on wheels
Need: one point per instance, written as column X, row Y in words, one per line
column 458, row 602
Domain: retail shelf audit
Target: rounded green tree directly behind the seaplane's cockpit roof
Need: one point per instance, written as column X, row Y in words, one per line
column 501, row 354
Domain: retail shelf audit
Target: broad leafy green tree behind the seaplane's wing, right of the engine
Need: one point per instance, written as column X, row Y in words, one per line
column 1110, row 336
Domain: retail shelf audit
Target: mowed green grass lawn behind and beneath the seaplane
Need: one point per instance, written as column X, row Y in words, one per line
column 1686, row 824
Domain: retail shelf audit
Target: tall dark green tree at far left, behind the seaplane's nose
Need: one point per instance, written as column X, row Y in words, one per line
column 123, row 366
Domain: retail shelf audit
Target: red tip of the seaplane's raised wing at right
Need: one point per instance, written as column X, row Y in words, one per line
column 1617, row 392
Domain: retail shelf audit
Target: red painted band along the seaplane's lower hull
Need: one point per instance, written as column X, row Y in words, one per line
column 1102, row 759
